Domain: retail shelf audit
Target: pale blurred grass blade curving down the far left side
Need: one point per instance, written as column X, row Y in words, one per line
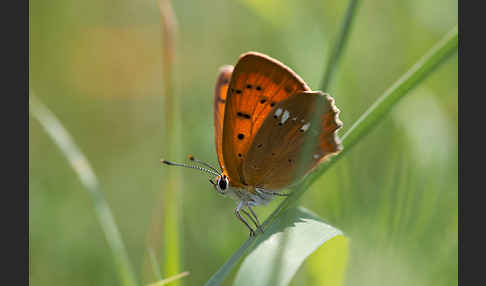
column 87, row 176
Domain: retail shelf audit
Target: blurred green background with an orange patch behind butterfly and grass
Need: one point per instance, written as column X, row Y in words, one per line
column 97, row 65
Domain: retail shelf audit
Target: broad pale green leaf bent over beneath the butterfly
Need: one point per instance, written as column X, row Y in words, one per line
column 284, row 246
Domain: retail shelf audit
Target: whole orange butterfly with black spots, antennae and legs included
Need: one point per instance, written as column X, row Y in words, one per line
column 270, row 131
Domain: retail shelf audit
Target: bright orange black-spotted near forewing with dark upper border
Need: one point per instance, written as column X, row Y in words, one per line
column 258, row 83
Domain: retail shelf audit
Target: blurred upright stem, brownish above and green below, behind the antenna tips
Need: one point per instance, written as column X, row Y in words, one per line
column 165, row 233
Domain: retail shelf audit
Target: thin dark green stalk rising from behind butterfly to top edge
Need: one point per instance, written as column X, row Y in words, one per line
column 337, row 51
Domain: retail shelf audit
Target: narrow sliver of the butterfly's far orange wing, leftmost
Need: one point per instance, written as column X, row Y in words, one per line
column 220, row 92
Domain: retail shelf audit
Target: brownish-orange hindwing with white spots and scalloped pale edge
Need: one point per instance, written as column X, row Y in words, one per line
column 289, row 144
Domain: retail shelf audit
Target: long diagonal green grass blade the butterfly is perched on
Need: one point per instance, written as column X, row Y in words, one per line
column 364, row 125
